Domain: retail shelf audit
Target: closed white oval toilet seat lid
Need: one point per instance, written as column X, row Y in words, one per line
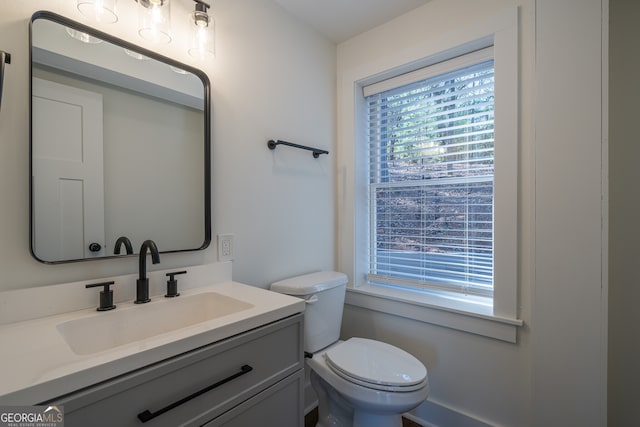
column 376, row 365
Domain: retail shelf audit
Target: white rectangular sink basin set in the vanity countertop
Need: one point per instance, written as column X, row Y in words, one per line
column 121, row 326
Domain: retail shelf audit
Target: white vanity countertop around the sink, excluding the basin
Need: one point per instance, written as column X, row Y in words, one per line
column 38, row 365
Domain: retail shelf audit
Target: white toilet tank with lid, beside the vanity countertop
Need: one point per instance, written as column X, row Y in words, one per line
column 324, row 293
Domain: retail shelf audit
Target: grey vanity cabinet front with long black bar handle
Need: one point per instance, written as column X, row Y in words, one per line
column 254, row 378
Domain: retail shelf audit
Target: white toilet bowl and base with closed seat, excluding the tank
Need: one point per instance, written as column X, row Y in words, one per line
column 370, row 383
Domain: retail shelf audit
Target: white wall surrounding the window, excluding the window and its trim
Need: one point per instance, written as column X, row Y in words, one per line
column 555, row 373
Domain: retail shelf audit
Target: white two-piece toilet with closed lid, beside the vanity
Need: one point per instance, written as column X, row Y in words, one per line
column 359, row 382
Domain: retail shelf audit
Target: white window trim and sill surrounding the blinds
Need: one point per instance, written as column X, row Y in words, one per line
column 496, row 318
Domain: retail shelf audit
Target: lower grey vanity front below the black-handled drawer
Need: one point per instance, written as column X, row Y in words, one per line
column 280, row 405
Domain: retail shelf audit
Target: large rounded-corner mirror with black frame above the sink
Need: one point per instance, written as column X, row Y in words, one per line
column 120, row 146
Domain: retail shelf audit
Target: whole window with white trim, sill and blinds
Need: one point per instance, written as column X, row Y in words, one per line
column 428, row 207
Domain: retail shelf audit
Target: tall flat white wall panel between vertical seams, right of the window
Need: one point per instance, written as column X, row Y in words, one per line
column 569, row 304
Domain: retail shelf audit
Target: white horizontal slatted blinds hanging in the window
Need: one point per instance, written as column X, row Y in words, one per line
column 431, row 164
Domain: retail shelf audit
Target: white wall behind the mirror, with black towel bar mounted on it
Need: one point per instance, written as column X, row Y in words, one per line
column 272, row 78
